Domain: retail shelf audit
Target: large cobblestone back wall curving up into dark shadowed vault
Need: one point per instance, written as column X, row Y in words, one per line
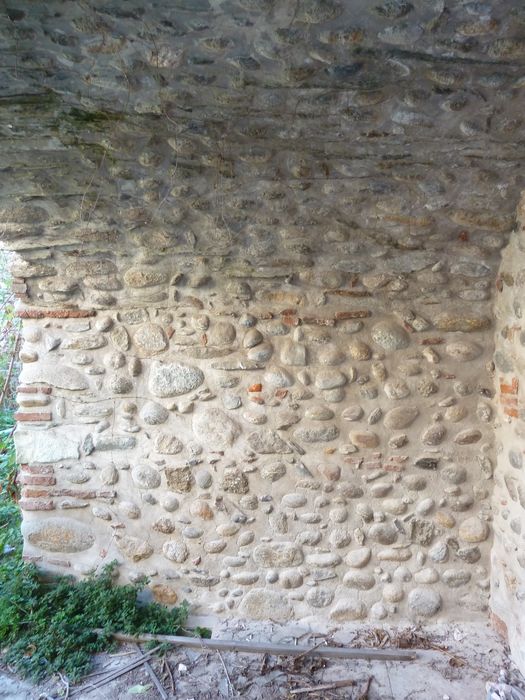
column 258, row 244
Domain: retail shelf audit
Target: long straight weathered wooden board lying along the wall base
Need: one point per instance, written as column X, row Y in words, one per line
column 268, row 648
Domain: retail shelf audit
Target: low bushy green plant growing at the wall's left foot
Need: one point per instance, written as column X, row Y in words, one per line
column 50, row 626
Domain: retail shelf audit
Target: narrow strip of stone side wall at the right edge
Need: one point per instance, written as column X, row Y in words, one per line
column 508, row 561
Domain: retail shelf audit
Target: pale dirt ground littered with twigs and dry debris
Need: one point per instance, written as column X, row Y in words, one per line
column 453, row 663
